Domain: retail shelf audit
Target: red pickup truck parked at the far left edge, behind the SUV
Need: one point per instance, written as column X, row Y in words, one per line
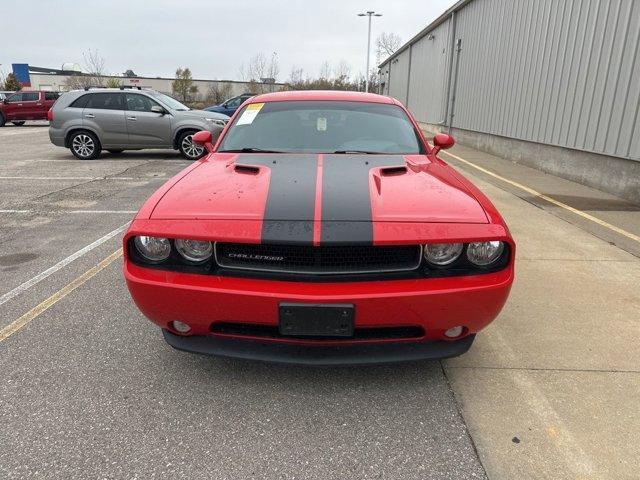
column 19, row 107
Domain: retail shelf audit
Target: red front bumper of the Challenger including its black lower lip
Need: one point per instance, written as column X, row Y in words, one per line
column 433, row 304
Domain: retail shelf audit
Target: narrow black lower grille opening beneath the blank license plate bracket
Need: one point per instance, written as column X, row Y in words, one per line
column 359, row 333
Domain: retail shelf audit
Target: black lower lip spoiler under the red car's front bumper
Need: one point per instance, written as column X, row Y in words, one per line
column 321, row 355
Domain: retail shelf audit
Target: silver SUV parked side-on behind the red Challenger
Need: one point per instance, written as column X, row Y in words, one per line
column 87, row 121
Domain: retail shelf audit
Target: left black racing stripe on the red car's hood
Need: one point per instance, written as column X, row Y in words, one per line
column 289, row 209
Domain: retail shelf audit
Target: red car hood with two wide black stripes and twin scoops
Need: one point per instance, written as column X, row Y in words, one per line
column 292, row 192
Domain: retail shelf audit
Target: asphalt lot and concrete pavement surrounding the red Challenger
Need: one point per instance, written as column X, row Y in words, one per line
column 90, row 390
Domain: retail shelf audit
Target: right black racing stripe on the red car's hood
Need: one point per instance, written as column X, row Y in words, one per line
column 346, row 200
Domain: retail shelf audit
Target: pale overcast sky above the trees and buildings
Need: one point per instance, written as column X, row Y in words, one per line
column 213, row 38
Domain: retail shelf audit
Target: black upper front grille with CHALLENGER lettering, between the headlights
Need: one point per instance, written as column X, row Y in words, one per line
column 322, row 260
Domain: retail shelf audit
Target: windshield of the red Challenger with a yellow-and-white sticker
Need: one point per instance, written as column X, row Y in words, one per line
column 322, row 127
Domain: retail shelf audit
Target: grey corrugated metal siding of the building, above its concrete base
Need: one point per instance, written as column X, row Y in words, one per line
column 561, row 72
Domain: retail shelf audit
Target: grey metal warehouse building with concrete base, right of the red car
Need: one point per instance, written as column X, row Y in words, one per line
column 554, row 84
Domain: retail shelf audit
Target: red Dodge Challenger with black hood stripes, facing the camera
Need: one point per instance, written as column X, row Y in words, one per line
column 321, row 228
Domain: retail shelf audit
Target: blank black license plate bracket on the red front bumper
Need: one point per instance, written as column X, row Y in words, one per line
column 316, row 320
